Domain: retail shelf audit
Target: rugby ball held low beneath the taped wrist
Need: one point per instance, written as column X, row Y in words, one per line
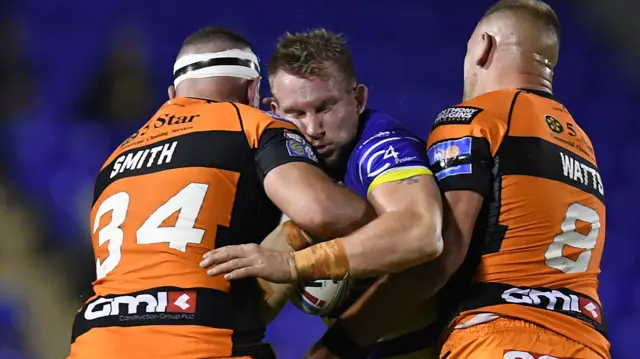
column 320, row 297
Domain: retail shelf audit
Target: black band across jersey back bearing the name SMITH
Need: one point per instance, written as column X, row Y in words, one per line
column 226, row 150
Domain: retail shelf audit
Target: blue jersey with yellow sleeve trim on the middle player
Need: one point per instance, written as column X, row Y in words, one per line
column 385, row 152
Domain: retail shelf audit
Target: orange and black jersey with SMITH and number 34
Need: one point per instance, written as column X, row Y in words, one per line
column 190, row 180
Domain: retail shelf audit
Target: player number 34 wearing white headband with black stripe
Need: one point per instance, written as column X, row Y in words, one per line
column 204, row 172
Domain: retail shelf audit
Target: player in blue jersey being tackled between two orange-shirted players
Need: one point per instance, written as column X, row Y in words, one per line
column 313, row 80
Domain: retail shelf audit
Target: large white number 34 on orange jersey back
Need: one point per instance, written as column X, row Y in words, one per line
column 188, row 201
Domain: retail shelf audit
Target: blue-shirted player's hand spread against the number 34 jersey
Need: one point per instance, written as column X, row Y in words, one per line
column 250, row 260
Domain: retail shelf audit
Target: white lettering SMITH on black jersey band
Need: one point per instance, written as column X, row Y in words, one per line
column 146, row 158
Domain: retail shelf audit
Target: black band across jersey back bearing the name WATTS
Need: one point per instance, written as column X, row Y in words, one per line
column 534, row 156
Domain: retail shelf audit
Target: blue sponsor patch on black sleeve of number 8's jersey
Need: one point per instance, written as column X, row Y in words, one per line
column 445, row 157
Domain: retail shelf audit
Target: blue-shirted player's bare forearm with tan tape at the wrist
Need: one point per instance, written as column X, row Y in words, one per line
column 394, row 241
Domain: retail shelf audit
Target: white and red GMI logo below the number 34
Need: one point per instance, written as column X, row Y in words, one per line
column 144, row 306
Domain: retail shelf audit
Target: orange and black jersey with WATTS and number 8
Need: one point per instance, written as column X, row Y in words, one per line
column 539, row 238
